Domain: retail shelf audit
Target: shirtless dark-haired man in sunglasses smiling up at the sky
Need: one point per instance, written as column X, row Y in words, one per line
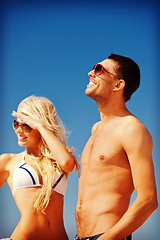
column 117, row 158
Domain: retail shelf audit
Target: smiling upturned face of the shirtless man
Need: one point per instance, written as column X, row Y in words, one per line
column 100, row 87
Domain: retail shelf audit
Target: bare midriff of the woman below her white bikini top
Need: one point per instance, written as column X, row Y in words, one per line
column 36, row 225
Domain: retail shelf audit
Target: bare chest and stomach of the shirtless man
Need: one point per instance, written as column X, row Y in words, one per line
column 105, row 185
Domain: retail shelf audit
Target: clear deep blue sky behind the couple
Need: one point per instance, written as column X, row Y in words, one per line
column 47, row 49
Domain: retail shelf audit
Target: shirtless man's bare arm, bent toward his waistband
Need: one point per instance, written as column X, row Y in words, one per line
column 137, row 143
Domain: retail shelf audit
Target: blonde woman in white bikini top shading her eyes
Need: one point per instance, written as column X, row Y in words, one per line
column 38, row 176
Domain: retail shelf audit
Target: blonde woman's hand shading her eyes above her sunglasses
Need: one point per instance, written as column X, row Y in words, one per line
column 33, row 123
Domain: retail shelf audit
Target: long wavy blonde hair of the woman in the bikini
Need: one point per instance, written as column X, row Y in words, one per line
column 42, row 109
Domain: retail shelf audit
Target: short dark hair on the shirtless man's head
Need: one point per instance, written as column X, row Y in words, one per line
column 129, row 71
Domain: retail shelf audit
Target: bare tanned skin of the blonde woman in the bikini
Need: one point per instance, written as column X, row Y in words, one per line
column 35, row 224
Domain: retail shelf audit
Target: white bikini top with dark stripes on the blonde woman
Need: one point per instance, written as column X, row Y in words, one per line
column 26, row 177
